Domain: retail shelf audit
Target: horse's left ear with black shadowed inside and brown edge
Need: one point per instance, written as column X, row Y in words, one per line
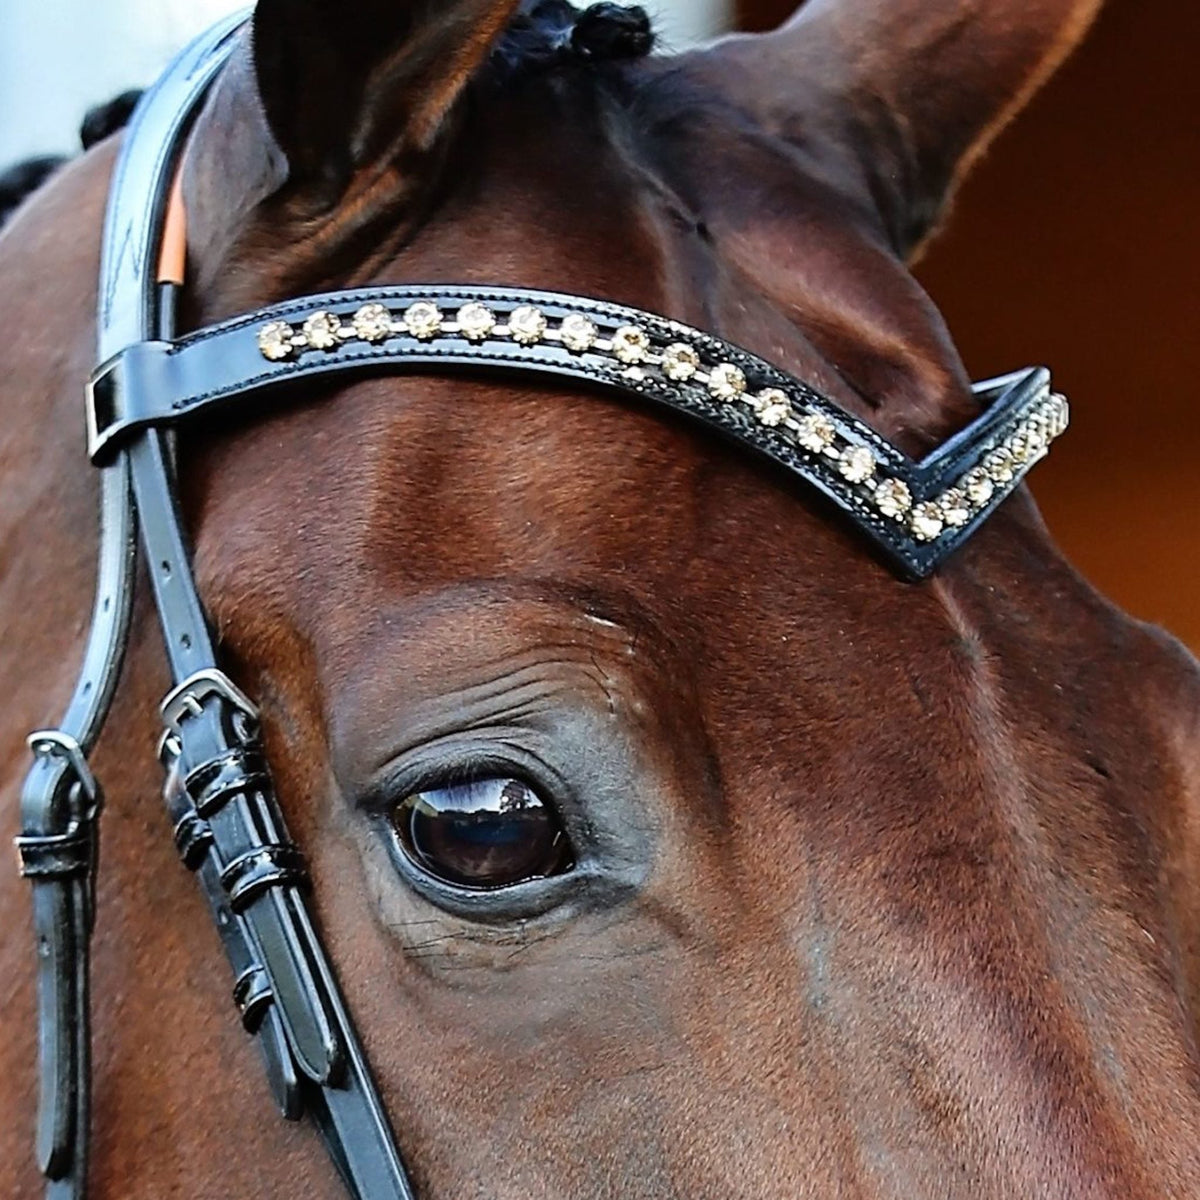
column 344, row 86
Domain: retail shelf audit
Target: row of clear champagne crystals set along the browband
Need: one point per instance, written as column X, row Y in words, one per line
column 681, row 363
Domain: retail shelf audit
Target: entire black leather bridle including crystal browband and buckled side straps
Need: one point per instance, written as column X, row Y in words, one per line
column 227, row 824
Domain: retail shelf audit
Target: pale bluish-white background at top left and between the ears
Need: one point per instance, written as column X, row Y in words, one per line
column 58, row 58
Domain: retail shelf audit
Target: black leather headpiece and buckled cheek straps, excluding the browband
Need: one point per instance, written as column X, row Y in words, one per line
column 251, row 874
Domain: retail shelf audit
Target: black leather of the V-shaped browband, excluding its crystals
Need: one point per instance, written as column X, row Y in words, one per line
column 157, row 385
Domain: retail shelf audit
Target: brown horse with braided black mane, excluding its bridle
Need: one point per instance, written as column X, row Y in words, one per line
column 892, row 886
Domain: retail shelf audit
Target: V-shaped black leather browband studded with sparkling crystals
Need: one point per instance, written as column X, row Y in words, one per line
column 917, row 512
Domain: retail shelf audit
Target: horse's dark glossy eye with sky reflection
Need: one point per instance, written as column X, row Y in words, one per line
column 491, row 833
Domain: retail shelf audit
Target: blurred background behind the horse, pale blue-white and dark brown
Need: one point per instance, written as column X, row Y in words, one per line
column 1076, row 244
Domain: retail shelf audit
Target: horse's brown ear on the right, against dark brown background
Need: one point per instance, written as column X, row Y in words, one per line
column 915, row 89
